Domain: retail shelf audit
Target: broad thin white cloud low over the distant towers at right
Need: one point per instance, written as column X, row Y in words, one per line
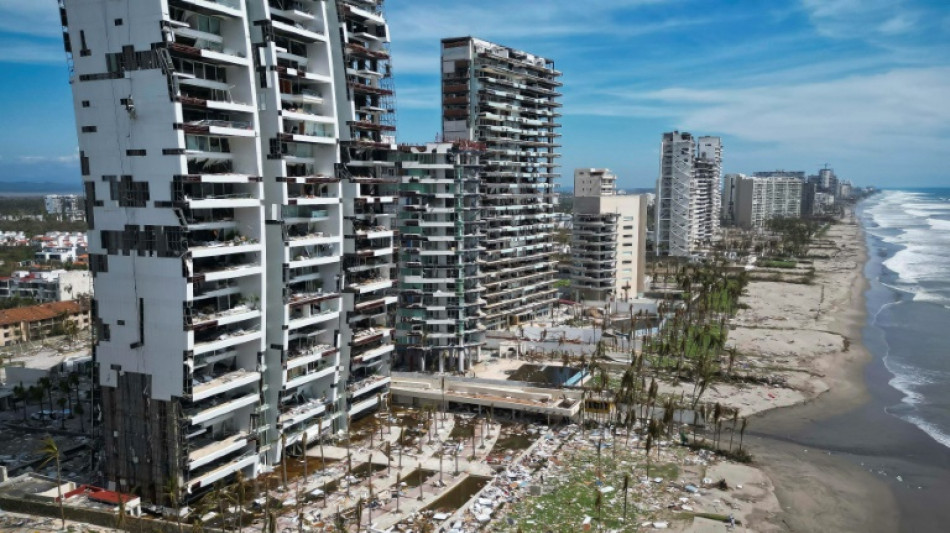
column 874, row 122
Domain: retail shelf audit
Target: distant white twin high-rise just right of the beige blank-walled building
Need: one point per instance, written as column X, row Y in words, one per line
column 688, row 195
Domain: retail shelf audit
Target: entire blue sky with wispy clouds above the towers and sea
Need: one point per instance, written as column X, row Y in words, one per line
column 863, row 85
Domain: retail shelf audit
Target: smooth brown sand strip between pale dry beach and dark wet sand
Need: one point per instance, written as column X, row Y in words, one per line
column 818, row 490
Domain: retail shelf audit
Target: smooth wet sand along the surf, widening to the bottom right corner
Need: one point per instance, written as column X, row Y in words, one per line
column 839, row 462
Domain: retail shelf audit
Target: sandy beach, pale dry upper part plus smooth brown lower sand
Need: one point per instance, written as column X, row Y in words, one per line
column 807, row 339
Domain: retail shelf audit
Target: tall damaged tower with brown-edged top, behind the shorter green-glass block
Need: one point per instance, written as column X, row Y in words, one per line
column 507, row 99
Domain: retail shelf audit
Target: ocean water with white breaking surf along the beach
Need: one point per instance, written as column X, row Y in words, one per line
column 908, row 235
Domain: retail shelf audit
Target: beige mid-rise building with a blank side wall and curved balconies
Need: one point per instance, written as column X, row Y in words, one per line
column 608, row 245
